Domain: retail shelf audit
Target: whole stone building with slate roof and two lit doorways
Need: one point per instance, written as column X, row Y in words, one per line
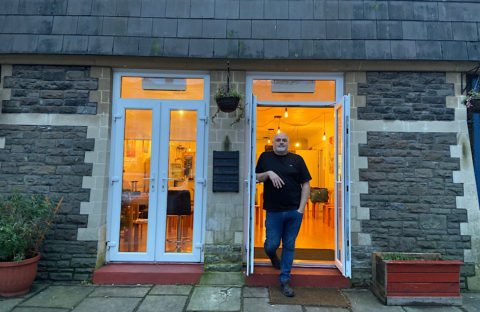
column 110, row 104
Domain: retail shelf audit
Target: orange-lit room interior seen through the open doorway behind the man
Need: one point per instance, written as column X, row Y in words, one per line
column 312, row 135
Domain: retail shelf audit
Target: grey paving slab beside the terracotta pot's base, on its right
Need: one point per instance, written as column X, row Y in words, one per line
column 59, row 297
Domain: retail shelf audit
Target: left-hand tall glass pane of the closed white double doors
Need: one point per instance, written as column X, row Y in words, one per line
column 135, row 180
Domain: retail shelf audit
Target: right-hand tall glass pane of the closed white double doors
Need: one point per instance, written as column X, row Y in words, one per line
column 181, row 181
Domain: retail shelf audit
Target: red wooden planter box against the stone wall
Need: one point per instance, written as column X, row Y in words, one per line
column 431, row 281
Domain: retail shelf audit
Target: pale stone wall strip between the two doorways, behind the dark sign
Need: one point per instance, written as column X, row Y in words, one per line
column 225, row 210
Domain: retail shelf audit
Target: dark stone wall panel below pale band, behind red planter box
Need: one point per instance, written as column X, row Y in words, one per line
column 412, row 196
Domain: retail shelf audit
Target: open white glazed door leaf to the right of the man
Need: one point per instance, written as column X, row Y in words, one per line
column 342, row 186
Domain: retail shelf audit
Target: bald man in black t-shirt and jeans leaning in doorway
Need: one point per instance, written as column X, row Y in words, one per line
column 286, row 190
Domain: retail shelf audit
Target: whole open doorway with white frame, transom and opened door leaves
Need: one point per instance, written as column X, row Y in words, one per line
column 308, row 107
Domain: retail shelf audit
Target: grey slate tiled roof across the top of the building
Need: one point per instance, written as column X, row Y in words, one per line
column 250, row 29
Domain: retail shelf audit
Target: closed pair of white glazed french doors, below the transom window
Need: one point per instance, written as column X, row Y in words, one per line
column 156, row 189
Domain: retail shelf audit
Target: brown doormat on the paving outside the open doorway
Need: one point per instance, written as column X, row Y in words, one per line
column 332, row 297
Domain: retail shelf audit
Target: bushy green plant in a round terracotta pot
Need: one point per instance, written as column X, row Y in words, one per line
column 24, row 222
